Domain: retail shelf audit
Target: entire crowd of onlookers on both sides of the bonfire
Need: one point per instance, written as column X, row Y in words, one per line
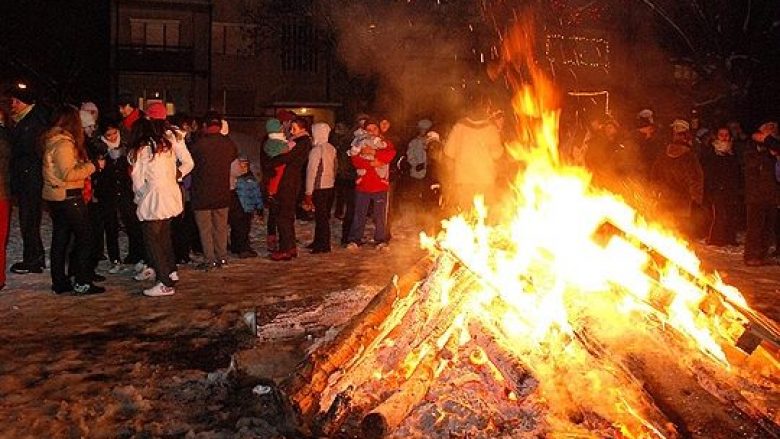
column 179, row 186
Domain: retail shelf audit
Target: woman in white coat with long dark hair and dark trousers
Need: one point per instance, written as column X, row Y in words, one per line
column 157, row 194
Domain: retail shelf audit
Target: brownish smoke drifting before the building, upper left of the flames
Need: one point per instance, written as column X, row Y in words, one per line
column 413, row 52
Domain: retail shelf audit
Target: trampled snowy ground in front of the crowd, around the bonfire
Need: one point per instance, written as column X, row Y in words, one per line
column 124, row 365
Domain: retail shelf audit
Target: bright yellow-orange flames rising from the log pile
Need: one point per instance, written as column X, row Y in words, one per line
column 555, row 267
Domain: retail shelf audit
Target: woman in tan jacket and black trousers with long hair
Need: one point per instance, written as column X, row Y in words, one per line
column 65, row 168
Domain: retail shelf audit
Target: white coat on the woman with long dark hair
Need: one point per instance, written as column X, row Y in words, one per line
column 157, row 192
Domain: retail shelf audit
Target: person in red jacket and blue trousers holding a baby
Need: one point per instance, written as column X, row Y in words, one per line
column 372, row 185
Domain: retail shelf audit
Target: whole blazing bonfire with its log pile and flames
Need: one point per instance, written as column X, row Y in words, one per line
column 572, row 316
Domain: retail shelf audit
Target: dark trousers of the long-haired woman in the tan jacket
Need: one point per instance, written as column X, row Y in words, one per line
column 70, row 219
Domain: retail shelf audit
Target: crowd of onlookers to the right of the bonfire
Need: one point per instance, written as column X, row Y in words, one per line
column 708, row 182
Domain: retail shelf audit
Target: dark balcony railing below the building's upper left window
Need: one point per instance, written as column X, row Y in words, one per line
column 143, row 58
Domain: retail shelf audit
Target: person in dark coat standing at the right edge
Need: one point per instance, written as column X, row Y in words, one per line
column 761, row 192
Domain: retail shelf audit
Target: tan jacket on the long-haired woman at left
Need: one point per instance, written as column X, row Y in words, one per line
column 62, row 169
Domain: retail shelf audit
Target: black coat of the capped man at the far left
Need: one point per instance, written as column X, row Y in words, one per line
column 26, row 152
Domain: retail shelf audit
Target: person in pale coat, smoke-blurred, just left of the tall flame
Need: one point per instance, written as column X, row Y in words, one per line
column 473, row 146
